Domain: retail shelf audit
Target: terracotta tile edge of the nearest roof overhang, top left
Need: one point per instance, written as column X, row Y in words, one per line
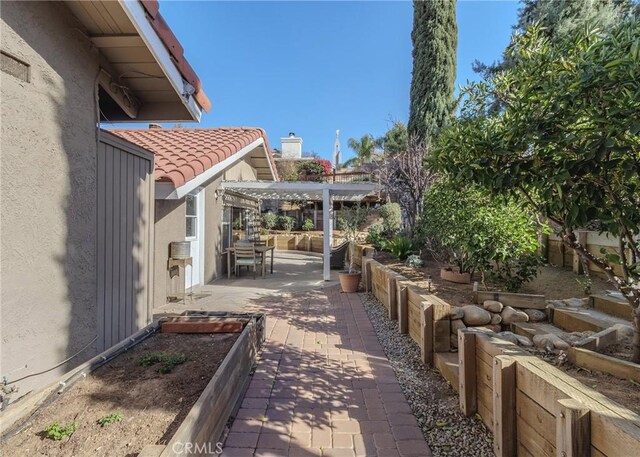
column 176, row 50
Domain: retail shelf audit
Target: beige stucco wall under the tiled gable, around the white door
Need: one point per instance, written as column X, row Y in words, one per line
column 170, row 226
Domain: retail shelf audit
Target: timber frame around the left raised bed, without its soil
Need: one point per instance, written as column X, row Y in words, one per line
column 205, row 422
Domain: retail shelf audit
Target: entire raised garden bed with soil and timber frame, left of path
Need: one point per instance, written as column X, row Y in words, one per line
column 149, row 405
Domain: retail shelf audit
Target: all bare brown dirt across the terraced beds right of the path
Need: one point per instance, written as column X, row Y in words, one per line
column 554, row 283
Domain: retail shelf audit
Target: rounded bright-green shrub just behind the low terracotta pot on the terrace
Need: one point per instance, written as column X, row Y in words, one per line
column 482, row 234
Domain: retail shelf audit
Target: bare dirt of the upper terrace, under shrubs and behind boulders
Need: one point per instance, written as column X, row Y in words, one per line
column 552, row 282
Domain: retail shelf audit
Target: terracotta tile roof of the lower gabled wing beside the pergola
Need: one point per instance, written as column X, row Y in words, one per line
column 183, row 153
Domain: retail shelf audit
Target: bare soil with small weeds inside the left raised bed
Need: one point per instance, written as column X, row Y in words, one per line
column 153, row 405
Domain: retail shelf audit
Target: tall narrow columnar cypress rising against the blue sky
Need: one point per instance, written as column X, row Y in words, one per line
column 435, row 39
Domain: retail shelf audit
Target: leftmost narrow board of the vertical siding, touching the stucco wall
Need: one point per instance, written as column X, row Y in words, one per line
column 100, row 255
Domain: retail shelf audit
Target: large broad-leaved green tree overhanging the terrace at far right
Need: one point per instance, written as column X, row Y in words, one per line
column 566, row 140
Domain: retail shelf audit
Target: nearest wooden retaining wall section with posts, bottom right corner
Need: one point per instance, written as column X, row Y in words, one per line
column 550, row 412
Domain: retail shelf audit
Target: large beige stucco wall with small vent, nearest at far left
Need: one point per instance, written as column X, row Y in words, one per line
column 48, row 194
